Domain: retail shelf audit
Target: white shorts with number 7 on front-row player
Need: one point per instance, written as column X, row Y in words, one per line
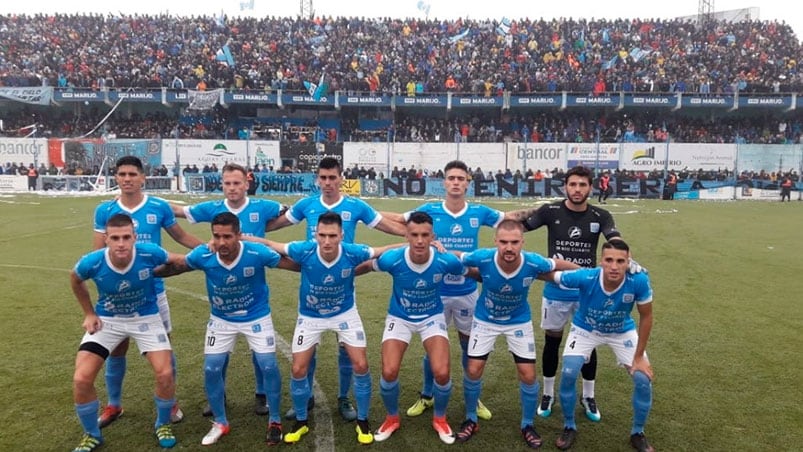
column 520, row 339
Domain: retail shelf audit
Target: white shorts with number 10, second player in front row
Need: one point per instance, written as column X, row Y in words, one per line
column 221, row 335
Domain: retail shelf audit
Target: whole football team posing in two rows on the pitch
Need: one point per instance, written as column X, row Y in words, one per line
column 433, row 287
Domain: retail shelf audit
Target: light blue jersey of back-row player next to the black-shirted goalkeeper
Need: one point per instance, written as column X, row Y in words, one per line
column 459, row 232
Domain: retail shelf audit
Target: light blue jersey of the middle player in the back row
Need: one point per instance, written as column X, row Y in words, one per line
column 351, row 211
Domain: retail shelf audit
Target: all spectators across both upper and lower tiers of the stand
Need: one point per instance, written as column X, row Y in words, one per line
column 410, row 56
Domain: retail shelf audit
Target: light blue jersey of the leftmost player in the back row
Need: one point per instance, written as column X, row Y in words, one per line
column 150, row 217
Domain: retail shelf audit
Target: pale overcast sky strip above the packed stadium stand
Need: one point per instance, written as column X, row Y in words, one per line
column 790, row 11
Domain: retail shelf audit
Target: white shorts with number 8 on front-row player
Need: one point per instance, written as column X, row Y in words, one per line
column 347, row 325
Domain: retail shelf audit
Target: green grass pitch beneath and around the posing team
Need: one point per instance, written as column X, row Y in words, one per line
column 728, row 324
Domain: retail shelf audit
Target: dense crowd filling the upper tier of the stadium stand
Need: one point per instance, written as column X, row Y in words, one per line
column 399, row 55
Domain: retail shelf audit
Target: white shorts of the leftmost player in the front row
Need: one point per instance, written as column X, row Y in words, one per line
column 147, row 331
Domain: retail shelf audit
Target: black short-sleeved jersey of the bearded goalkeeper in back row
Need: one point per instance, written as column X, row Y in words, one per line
column 572, row 236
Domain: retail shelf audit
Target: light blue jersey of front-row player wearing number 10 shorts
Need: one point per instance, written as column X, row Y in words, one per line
column 238, row 292
